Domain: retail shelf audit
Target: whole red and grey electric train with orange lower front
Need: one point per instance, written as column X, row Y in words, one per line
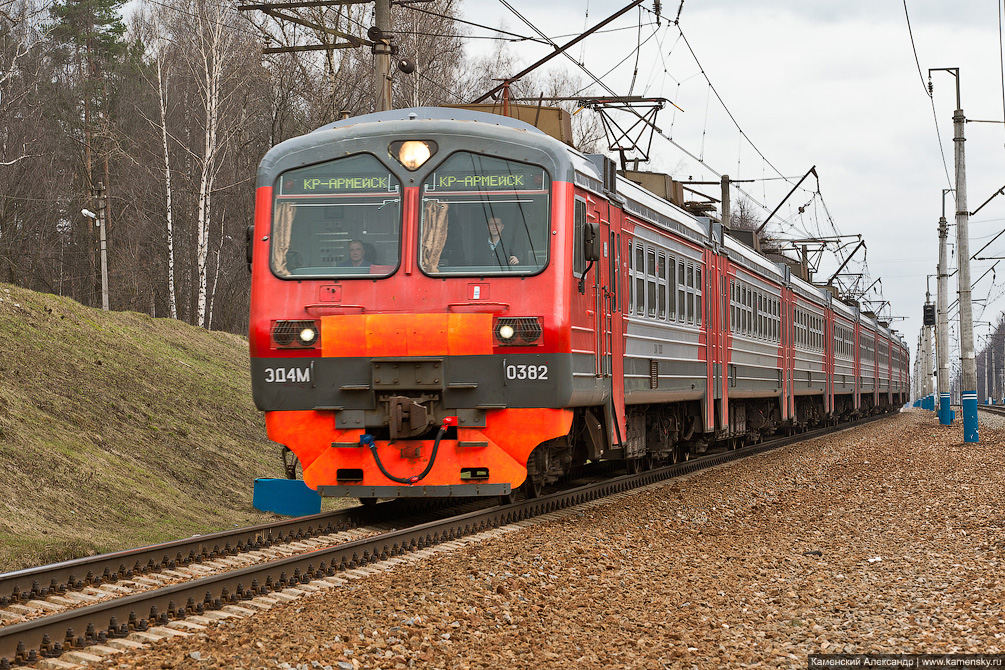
column 448, row 303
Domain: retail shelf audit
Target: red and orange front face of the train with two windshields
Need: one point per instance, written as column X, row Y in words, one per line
column 437, row 365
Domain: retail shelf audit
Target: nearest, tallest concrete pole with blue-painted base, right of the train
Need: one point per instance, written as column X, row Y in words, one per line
column 969, row 388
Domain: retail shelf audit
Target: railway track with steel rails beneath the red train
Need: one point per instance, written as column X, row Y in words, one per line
column 114, row 602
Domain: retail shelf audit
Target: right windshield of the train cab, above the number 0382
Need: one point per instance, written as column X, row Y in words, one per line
column 484, row 215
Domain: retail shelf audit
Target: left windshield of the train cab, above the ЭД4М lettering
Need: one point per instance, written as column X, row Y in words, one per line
column 341, row 218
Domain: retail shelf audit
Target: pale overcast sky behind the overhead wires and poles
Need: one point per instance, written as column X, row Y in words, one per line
column 831, row 84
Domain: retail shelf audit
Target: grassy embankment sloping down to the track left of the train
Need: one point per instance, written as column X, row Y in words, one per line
column 119, row 430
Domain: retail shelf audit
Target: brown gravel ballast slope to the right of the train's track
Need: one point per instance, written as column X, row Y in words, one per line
column 885, row 539
